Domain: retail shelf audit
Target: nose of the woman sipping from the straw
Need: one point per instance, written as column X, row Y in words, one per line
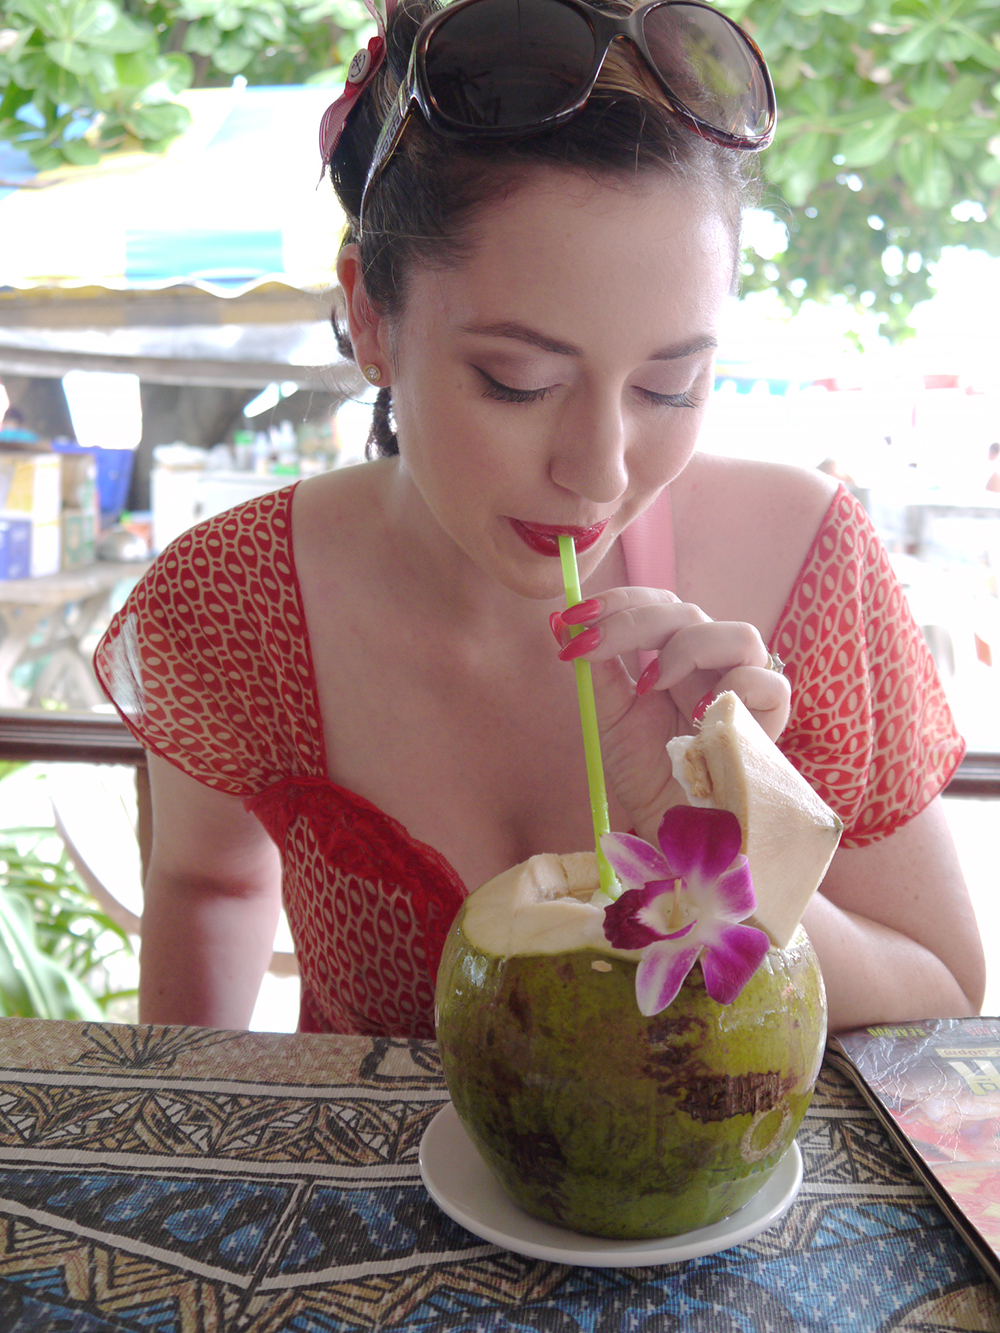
column 589, row 451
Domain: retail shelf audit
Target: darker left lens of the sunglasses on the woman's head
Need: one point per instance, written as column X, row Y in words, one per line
column 501, row 65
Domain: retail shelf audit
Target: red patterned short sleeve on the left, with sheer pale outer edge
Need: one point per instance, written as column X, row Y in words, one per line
column 209, row 662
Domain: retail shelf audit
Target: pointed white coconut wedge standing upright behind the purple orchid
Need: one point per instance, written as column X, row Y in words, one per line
column 790, row 834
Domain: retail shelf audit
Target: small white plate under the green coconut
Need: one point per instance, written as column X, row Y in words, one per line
column 465, row 1188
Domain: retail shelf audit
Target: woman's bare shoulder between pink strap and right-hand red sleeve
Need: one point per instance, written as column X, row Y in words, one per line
column 743, row 531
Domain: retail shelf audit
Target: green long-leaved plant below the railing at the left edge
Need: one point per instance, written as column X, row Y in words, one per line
column 58, row 948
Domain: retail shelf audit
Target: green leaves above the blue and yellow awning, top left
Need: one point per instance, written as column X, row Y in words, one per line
column 82, row 78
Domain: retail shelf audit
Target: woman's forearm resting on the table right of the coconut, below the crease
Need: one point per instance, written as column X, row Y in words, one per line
column 878, row 975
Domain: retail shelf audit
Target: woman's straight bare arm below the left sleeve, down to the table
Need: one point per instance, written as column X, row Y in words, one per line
column 213, row 903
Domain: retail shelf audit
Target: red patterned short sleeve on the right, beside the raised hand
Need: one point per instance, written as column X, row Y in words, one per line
column 870, row 728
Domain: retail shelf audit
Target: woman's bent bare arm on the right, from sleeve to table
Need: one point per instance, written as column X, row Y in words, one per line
column 895, row 931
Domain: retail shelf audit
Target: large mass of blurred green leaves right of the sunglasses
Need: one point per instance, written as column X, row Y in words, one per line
column 889, row 145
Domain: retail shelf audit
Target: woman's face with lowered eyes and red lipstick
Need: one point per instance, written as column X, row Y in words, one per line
column 557, row 378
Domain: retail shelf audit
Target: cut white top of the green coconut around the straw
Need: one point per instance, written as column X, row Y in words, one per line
column 539, row 907
